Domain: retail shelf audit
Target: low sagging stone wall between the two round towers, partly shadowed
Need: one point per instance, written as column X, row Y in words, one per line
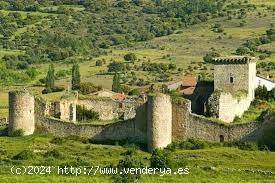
column 126, row 130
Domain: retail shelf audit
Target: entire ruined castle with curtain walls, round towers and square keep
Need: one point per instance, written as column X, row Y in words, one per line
column 156, row 121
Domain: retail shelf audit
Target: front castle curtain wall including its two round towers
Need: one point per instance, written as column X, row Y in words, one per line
column 157, row 122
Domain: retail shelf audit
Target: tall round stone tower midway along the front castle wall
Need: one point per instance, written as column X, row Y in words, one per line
column 159, row 121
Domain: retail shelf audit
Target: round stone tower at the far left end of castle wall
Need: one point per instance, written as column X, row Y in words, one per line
column 21, row 112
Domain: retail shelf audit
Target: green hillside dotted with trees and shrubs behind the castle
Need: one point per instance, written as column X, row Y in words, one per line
column 65, row 34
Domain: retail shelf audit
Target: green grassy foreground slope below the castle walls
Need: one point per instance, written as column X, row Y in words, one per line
column 229, row 164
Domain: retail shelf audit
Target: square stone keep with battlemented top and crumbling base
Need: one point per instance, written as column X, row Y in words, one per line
column 234, row 87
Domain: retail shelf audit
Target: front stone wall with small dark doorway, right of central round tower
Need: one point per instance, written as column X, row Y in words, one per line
column 187, row 125
